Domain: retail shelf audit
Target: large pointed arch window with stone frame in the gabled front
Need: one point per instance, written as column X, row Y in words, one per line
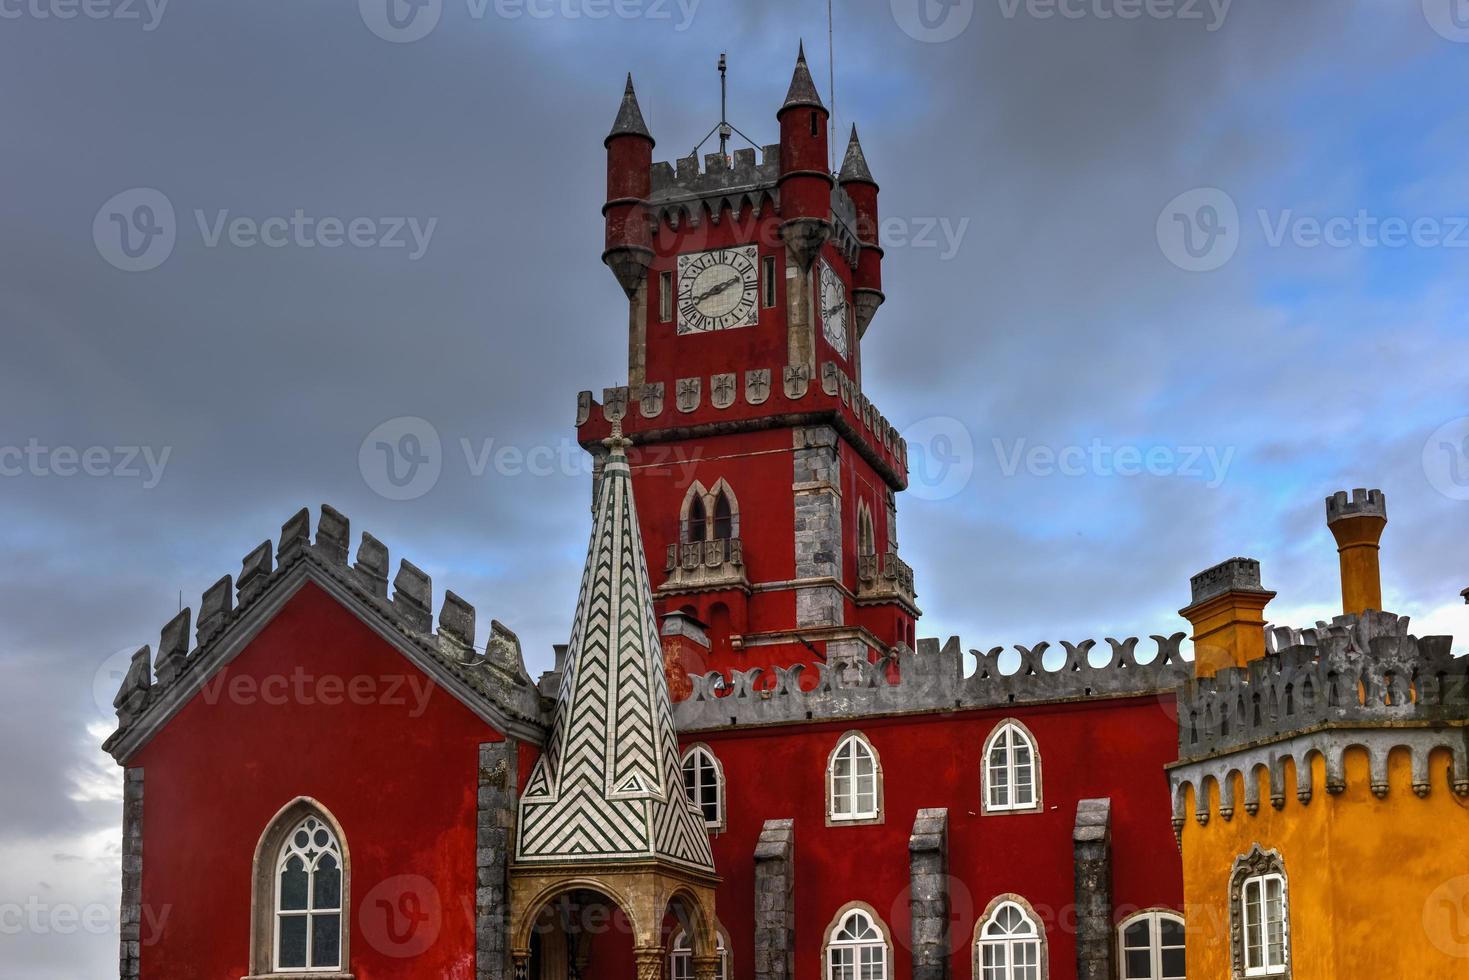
column 302, row 896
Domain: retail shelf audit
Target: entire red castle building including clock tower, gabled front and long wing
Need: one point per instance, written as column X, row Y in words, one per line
column 878, row 807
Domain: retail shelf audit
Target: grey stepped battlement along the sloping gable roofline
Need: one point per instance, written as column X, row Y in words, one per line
column 231, row 612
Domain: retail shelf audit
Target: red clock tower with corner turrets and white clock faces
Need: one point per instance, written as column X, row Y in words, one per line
column 763, row 475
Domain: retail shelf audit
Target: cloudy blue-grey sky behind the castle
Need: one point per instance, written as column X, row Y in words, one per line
column 1227, row 239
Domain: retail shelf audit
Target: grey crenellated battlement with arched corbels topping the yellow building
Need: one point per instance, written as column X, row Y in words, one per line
column 1360, row 682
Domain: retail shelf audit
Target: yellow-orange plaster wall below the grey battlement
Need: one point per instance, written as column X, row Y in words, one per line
column 1379, row 890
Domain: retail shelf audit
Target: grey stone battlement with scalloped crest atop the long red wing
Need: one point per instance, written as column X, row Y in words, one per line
column 931, row 680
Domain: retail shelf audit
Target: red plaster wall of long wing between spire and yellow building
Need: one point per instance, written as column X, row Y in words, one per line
column 1113, row 749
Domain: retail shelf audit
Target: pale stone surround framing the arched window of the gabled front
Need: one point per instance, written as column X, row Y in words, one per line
column 264, row 894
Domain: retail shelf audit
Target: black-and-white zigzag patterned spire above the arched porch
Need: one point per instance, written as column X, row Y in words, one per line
column 609, row 785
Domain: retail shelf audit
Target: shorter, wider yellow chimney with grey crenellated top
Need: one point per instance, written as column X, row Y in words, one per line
column 1227, row 616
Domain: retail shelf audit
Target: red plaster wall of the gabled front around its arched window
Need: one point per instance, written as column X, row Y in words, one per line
column 400, row 779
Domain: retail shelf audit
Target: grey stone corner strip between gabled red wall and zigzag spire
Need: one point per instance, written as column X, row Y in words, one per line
column 496, row 826
